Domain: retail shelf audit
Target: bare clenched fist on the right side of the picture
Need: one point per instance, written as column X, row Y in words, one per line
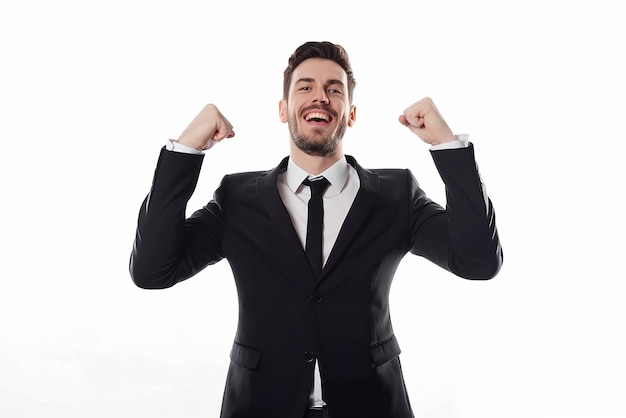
column 424, row 119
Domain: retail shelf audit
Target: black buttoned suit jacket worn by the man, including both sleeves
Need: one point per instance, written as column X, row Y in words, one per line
column 288, row 318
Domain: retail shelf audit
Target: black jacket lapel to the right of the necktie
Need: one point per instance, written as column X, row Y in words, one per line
column 358, row 213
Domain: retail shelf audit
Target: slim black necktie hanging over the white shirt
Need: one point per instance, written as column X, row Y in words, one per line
column 315, row 223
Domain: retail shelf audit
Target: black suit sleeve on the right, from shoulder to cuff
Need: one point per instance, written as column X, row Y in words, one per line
column 463, row 238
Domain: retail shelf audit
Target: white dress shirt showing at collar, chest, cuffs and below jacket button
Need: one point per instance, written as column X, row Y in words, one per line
column 338, row 198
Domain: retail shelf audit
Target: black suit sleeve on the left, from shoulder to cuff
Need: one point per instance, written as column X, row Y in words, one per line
column 168, row 247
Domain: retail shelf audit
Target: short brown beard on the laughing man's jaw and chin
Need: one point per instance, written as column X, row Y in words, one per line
column 320, row 142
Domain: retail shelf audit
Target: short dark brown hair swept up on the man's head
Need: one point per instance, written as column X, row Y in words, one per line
column 325, row 50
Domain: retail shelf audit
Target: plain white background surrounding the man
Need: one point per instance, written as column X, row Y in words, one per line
column 90, row 91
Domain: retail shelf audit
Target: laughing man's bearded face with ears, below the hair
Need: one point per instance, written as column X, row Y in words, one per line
column 318, row 108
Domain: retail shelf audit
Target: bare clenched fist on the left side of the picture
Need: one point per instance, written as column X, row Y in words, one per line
column 209, row 125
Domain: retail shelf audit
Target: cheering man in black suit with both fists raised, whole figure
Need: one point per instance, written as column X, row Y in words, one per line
column 314, row 336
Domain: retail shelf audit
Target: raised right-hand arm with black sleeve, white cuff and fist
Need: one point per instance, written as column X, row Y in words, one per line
column 462, row 239
